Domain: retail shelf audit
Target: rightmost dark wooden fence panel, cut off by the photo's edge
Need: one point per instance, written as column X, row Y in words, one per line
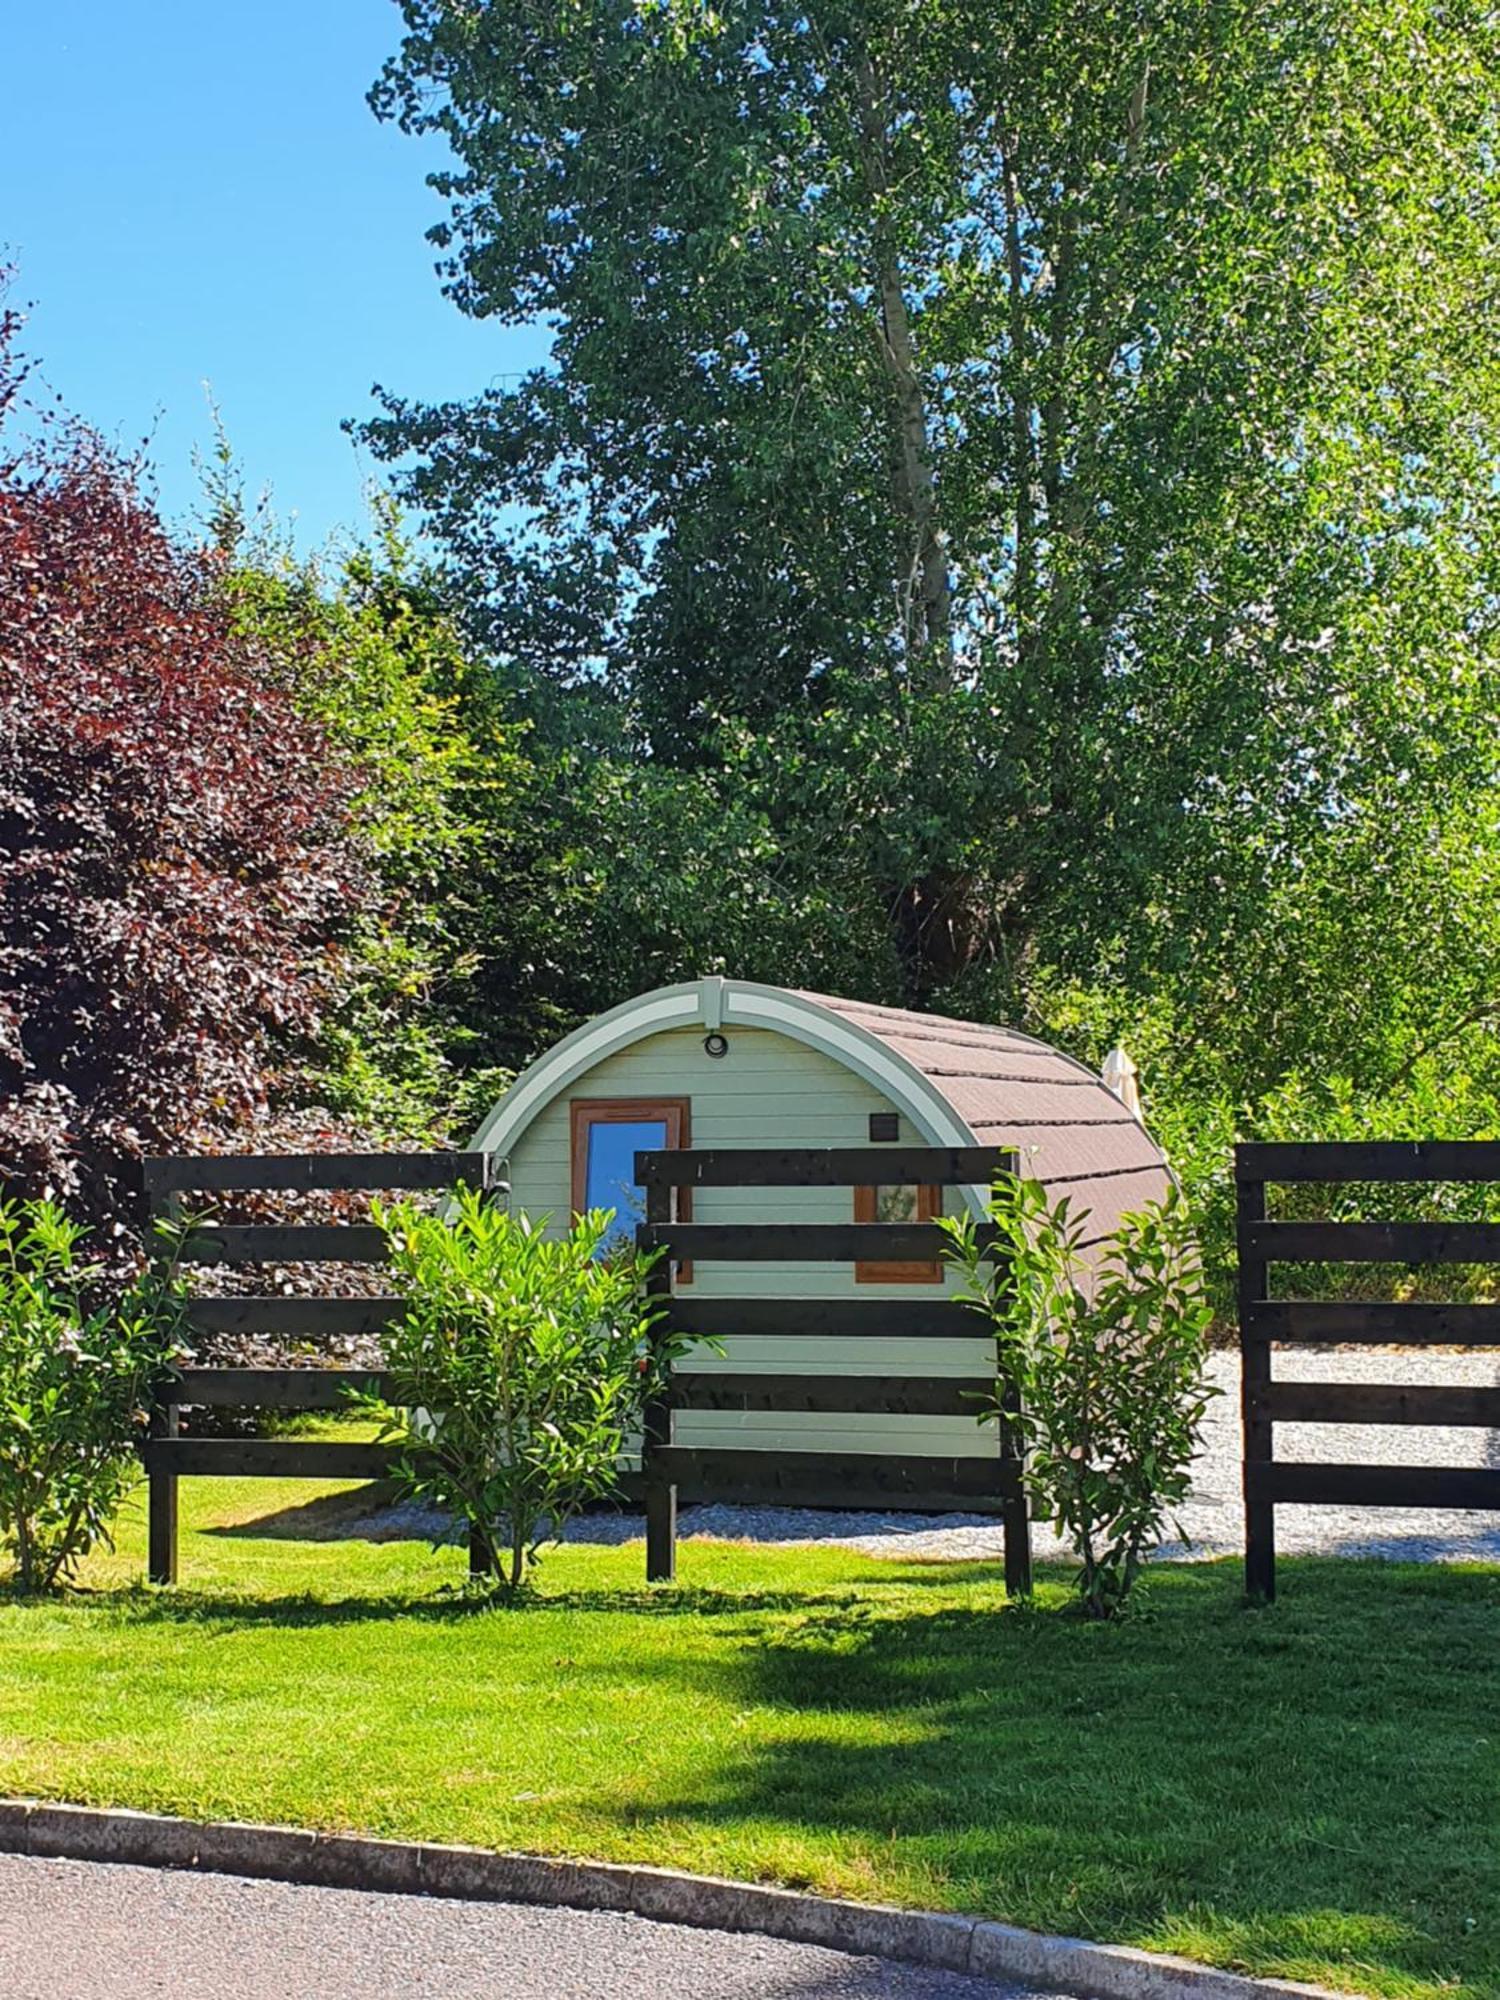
column 1269, row 1323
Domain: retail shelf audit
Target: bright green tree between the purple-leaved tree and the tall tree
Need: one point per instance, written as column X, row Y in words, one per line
column 443, row 979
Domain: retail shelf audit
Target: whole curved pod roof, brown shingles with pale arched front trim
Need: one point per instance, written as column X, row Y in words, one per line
column 957, row 1083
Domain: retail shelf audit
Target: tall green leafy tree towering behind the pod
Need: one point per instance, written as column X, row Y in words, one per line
column 1063, row 443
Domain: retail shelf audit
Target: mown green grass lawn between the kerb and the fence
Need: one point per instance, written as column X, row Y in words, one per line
column 1311, row 1791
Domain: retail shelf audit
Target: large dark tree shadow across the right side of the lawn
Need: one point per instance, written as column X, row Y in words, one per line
column 1307, row 1789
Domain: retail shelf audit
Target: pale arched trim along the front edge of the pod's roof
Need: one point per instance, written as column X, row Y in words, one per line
column 723, row 1005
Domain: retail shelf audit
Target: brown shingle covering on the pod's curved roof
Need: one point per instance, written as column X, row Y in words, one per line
column 1013, row 1091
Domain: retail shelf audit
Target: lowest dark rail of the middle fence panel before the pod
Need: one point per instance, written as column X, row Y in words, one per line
column 841, row 1479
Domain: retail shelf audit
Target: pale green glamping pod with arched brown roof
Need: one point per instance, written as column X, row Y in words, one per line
column 731, row 1063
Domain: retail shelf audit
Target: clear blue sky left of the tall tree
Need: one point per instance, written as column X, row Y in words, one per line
column 199, row 193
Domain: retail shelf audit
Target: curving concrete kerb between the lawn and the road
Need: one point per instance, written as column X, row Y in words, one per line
column 707, row 1903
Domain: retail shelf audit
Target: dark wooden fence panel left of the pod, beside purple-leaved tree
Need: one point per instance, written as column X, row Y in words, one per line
column 185, row 1183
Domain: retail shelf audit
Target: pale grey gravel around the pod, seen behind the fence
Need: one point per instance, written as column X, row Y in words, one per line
column 1213, row 1521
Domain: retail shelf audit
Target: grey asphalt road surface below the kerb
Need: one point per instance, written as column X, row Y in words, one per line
column 89, row 1931
